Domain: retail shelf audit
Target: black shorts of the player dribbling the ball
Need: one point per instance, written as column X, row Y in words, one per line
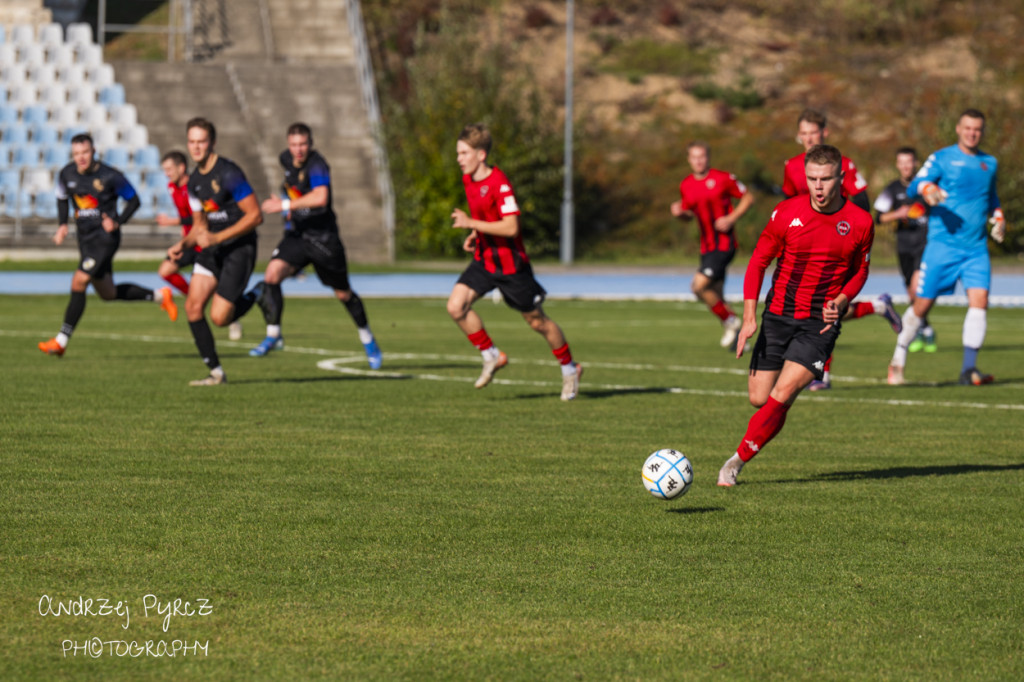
column 800, row 342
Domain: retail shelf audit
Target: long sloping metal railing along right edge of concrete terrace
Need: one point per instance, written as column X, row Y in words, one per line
column 368, row 91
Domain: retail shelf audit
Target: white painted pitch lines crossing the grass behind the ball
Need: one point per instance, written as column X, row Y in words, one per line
column 340, row 365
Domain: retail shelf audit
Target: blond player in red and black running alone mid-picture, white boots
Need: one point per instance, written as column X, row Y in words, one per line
column 499, row 261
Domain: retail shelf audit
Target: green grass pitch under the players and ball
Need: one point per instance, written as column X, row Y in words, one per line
column 353, row 526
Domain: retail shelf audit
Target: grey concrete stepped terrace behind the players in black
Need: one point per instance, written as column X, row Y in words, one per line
column 300, row 66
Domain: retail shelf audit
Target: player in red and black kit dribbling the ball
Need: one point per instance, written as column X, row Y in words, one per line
column 823, row 244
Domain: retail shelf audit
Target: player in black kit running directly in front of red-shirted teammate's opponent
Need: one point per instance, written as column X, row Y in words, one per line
column 226, row 215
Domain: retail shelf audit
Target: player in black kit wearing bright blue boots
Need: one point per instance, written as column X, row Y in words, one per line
column 313, row 239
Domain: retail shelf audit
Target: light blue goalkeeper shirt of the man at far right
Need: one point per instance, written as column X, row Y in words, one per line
column 969, row 180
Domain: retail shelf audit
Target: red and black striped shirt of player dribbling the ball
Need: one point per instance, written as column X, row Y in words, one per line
column 821, row 255
